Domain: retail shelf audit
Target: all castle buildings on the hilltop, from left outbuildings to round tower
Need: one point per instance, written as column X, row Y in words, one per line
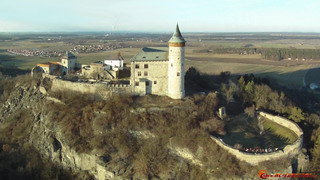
column 158, row 71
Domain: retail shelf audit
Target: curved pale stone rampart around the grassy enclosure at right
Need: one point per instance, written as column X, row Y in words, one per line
column 254, row 159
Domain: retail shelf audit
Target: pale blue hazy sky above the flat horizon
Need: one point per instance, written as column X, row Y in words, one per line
column 160, row 15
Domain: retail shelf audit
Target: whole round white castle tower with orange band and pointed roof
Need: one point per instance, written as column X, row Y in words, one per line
column 176, row 66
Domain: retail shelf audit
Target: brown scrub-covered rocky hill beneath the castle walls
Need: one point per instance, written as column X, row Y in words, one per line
column 128, row 136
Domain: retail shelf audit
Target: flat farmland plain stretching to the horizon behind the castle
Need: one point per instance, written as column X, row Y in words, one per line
column 285, row 72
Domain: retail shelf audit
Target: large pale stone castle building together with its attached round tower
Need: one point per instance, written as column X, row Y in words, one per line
column 158, row 71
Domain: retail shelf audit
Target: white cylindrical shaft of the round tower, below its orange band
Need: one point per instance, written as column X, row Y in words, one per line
column 176, row 65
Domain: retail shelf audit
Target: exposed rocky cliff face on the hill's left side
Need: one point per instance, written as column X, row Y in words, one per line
column 46, row 137
